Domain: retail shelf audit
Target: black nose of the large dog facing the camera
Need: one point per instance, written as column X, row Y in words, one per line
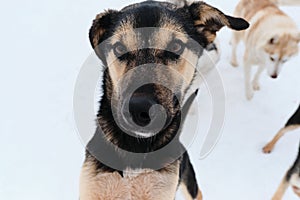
column 139, row 108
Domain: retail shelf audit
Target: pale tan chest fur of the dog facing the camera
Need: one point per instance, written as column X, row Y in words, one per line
column 137, row 184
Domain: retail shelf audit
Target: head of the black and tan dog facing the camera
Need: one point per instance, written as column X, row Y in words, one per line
column 151, row 50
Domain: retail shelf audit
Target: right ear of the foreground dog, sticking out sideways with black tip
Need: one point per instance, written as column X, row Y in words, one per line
column 209, row 20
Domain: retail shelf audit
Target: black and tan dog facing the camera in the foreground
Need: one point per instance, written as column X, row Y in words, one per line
column 124, row 40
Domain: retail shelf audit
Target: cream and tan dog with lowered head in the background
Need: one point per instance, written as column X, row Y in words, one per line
column 267, row 21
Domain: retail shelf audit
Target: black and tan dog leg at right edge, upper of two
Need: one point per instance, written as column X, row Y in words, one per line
column 292, row 124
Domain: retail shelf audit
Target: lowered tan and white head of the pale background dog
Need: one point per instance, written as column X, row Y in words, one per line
column 279, row 50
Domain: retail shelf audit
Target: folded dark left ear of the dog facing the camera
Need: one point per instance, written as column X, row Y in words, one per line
column 101, row 24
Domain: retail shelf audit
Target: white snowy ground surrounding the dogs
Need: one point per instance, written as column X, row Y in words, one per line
column 44, row 43
